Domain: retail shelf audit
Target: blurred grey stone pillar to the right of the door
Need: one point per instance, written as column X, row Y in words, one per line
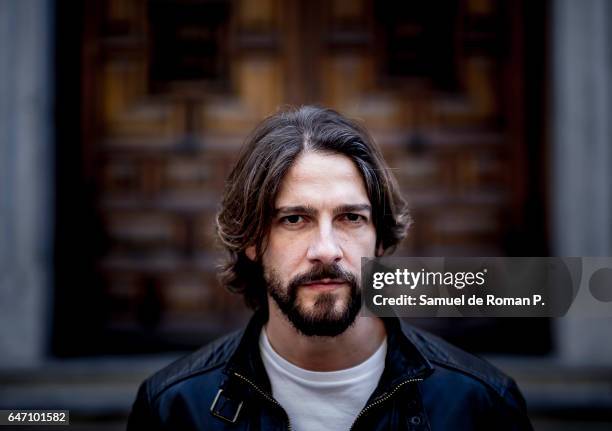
column 581, row 150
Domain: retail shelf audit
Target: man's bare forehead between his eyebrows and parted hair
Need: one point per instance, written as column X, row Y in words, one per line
column 322, row 179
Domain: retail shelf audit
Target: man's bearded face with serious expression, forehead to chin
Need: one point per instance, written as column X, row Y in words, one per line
column 321, row 228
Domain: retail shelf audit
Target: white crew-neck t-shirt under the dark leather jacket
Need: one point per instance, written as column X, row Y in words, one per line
column 316, row 400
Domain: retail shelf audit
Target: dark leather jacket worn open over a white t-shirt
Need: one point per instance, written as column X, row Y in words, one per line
column 427, row 384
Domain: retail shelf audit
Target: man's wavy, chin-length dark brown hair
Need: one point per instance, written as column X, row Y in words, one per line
column 251, row 188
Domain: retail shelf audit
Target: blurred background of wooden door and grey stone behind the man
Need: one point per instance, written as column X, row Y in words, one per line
column 120, row 119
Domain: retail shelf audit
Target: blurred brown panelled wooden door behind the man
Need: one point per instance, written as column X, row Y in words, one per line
column 169, row 90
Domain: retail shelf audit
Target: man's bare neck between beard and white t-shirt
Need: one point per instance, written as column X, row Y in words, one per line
column 346, row 350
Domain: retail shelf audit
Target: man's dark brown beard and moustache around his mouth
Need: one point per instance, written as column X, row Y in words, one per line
column 324, row 319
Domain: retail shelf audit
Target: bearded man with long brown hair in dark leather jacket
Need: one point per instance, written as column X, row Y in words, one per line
column 309, row 196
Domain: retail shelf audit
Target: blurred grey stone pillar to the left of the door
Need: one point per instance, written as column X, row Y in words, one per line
column 26, row 160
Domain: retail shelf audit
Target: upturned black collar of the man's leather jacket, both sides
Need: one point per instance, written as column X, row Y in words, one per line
column 404, row 360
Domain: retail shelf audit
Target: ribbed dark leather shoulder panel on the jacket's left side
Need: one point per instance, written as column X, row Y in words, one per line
column 207, row 360
